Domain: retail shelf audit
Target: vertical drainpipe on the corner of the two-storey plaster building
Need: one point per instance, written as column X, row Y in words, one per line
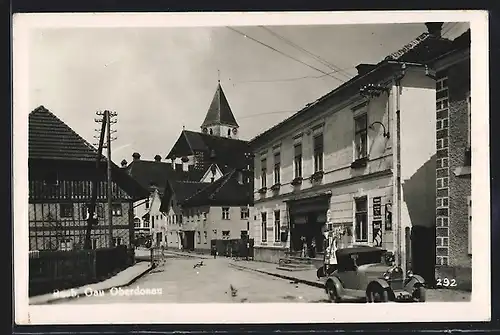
column 400, row 258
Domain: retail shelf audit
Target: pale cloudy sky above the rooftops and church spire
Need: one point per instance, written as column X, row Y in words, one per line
column 159, row 80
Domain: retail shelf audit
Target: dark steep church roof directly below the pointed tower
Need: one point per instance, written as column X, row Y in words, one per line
column 220, row 150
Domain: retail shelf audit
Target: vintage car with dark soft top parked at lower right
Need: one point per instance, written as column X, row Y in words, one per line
column 366, row 273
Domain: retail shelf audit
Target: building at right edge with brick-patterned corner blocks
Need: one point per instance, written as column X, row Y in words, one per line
column 453, row 170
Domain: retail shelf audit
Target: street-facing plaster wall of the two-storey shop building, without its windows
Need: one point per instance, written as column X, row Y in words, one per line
column 340, row 179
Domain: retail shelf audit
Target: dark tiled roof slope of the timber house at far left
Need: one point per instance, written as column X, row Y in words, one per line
column 51, row 138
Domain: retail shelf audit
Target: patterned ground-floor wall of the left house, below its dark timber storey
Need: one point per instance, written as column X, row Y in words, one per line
column 47, row 228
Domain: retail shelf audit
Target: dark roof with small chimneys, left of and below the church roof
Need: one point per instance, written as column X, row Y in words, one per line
column 152, row 173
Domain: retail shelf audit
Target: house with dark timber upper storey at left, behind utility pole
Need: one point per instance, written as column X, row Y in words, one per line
column 62, row 169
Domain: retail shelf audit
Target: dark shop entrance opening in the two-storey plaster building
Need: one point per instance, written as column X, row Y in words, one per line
column 307, row 220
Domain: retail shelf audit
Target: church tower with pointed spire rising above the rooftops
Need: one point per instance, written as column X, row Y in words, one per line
column 220, row 120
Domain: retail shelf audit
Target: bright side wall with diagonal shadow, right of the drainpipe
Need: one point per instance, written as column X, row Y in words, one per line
column 418, row 156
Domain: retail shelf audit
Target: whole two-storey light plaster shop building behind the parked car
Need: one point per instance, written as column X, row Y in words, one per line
column 356, row 161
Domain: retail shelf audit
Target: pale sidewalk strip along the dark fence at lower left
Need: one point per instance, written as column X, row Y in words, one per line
column 124, row 278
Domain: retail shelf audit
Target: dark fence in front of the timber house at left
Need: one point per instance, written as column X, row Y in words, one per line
column 57, row 270
